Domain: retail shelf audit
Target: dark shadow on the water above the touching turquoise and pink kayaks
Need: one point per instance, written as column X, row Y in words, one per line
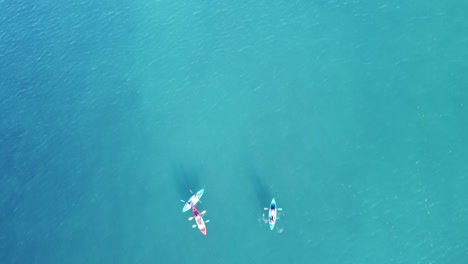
column 186, row 179
